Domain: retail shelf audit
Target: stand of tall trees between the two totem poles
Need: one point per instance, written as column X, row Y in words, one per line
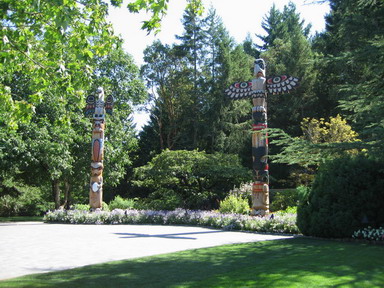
column 190, row 110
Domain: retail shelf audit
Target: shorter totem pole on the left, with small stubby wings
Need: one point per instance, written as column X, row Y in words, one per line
column 96, row 108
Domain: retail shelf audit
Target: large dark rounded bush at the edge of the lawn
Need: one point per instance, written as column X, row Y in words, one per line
column 347, row 195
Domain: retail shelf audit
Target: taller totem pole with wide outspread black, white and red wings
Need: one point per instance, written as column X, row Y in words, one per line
column 257, row 89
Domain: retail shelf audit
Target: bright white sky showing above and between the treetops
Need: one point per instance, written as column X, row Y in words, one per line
column 240, row 17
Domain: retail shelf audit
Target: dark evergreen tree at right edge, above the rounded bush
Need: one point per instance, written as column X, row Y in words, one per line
column 353, row 55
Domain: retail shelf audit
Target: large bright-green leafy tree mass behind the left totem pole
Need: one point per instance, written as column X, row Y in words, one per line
column 51, row 52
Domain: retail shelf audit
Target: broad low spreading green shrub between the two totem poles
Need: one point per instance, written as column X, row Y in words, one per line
column 191, row 179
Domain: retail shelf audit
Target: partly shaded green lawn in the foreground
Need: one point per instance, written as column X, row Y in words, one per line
column 299, row 262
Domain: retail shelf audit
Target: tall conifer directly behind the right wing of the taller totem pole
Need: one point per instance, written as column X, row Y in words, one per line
column 288, row 51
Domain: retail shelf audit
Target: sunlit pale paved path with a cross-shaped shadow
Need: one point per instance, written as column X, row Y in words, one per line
column 36, row 247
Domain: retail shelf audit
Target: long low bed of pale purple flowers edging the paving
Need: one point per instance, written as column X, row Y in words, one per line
column 270, row 224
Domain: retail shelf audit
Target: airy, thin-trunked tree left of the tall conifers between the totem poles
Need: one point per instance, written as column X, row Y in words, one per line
column 167, row 74
